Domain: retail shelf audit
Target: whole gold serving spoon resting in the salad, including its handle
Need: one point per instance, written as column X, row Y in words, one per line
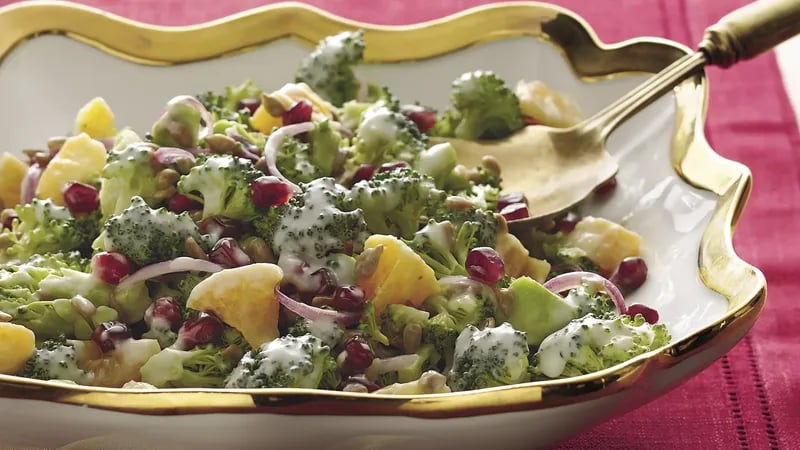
column 556, row 168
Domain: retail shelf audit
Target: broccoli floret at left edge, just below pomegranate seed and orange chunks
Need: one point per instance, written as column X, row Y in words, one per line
column 45, row 227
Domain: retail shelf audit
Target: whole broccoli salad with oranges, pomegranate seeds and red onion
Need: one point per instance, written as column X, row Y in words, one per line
column 312, row 236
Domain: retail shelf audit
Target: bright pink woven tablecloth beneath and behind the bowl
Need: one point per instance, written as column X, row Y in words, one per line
column 751, row 397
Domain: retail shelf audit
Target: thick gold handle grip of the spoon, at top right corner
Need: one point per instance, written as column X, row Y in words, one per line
column 750, row 31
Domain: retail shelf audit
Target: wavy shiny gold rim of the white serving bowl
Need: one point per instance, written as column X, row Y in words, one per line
column 694, row 160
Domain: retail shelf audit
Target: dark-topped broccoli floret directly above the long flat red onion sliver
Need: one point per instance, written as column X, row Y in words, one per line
column 147, row 235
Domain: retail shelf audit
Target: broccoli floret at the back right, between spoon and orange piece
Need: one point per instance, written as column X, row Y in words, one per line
column 483, row 108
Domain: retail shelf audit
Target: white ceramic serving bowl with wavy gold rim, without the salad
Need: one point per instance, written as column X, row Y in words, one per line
column 673, row 190
